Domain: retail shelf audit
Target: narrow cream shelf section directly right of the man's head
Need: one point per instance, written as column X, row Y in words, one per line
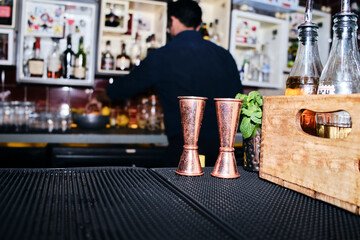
column 216, row 15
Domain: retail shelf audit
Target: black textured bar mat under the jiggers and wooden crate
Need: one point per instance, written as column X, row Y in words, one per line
column 259, row 209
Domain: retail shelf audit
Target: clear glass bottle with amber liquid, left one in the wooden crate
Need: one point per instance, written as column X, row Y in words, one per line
column 304, row 75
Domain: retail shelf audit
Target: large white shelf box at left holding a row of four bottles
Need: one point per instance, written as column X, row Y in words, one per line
column 55, row 44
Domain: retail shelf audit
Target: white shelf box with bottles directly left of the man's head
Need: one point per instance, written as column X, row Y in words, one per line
column 145, row 30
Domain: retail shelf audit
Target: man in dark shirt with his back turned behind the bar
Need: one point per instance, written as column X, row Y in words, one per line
column 186, row 66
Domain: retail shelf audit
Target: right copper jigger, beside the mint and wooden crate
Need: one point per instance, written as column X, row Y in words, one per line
column 228, row 113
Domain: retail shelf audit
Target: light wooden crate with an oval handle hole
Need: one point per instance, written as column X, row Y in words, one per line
column 325, row 169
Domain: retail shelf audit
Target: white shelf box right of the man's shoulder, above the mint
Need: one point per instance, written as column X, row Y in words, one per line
column 258, row 44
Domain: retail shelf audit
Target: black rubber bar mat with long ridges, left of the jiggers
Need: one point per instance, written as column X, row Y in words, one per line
column 100, row 203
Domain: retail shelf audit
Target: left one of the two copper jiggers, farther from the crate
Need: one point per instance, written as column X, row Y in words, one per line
column 191, row 110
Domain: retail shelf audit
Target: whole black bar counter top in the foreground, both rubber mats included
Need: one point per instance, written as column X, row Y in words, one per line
column 140, row 203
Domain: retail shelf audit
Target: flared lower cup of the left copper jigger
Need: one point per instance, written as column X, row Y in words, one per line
column 189, row 164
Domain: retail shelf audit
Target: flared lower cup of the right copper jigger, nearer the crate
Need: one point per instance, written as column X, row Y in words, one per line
column 225, row 166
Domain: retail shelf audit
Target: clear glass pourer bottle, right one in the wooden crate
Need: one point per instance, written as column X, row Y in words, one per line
column 341, row 73
